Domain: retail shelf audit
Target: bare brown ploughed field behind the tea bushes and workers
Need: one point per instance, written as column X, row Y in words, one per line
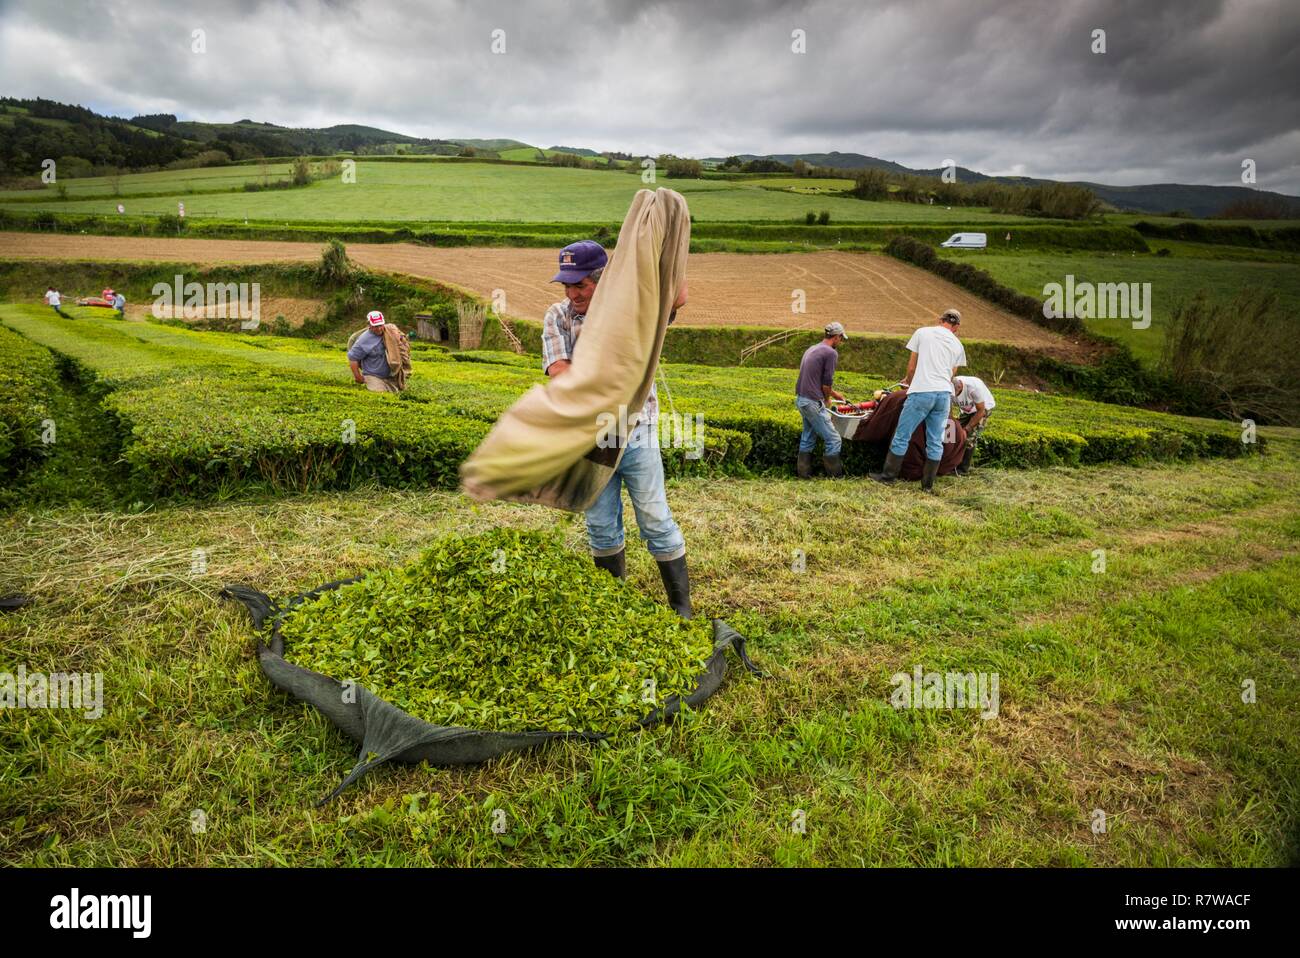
column 868, row 293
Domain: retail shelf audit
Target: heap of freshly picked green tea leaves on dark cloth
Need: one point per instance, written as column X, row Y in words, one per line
column 505, row 632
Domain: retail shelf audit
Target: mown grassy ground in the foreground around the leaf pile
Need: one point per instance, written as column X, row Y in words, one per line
column 1120, row 690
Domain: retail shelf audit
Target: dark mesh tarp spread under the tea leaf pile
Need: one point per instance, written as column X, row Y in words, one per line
column 388, row 734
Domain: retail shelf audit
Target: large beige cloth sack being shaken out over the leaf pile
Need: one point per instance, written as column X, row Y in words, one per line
column 548, row 447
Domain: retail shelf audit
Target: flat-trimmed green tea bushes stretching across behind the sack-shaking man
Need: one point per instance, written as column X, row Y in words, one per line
column 206, row 413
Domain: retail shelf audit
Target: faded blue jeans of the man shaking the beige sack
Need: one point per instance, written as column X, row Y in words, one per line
column 642, row 471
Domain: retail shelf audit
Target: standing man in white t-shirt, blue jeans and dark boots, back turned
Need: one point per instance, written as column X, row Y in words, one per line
column 937, row 354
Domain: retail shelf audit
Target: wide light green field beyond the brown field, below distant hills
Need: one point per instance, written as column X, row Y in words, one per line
column 476, row 192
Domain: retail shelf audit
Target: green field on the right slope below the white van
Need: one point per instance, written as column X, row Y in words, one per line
column 1173, row 280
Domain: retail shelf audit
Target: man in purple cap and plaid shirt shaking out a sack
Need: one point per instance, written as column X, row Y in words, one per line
column 642, row 467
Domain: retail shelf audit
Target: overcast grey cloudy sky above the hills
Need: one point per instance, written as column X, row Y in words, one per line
column 1185, row 92
